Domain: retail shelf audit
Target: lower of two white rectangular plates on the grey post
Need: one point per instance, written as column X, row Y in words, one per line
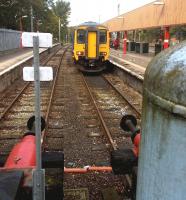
column 46, row 73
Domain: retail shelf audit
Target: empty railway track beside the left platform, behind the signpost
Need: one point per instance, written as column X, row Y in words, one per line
column 19, row 107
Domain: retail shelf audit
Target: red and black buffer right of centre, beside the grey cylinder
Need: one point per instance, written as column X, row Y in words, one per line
column 125, row 161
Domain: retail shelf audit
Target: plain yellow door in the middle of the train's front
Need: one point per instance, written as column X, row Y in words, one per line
column 92, row 47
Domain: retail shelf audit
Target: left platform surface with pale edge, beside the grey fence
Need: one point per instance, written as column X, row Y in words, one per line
column 13, row 58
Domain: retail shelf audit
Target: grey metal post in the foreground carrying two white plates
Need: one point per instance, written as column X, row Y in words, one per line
column 38, row 174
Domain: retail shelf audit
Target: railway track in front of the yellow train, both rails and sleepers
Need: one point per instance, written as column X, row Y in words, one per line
column 110, row 107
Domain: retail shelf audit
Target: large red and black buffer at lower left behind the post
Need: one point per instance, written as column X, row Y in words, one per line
column 17, row 171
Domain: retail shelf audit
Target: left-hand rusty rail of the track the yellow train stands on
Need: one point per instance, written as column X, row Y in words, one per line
column 112, row 142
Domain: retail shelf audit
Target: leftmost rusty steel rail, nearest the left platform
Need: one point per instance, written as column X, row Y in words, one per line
column 24, row 88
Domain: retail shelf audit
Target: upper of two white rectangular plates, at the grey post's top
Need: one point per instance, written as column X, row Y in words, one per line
column 45, row 39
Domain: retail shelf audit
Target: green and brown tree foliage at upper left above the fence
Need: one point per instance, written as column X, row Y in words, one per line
column 45, row 12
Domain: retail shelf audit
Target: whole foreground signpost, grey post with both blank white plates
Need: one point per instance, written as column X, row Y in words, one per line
column 36, row 74
